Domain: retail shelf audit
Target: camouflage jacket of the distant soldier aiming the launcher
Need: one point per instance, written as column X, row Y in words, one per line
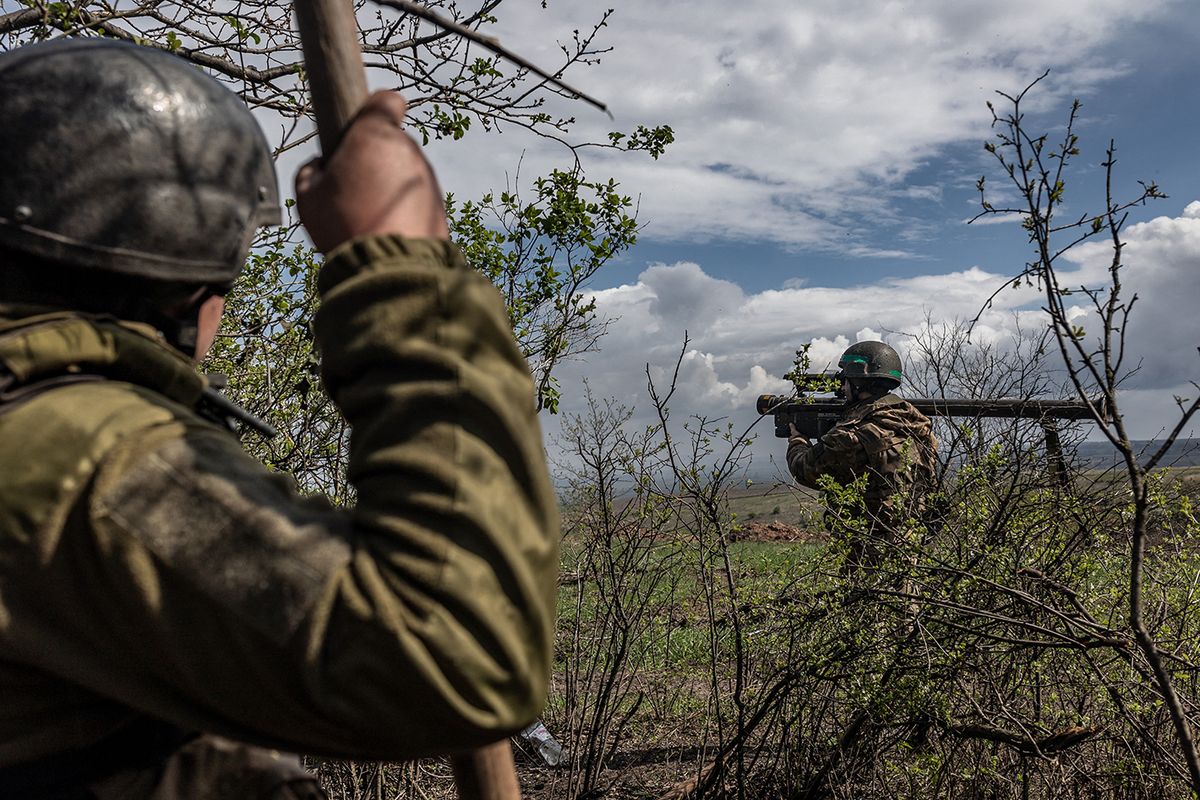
column 886, row 440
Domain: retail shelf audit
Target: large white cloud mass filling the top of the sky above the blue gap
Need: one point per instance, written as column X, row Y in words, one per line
column 797, row 123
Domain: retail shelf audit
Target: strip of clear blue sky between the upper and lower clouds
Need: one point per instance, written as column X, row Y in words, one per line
column 1151, row 112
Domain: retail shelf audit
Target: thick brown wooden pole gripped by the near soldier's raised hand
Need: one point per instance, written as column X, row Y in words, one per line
column 338, row 82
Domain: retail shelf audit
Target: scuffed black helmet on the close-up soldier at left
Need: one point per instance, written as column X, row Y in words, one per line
column 131, row 161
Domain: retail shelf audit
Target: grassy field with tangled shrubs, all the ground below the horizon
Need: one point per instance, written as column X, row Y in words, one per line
column 697, row 641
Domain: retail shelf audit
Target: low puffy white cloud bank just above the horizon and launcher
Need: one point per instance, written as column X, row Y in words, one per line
column 740, row 345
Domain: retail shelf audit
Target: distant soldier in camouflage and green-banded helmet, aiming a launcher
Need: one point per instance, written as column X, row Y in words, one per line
column 879, row 436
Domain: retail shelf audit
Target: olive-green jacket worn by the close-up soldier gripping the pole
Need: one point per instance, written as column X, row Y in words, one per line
column 153, row 576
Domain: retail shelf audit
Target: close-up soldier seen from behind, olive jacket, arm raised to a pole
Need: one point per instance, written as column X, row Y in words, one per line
column 170, row 611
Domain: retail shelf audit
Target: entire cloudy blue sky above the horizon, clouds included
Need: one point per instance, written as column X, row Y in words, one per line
column 825, row 167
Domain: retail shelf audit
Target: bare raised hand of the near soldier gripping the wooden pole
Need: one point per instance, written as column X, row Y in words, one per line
column 376, row 183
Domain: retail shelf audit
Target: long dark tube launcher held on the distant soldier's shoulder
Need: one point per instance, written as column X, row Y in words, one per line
column 814, row 416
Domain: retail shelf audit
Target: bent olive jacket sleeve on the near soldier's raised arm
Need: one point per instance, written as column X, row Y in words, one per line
column 419, row 622
